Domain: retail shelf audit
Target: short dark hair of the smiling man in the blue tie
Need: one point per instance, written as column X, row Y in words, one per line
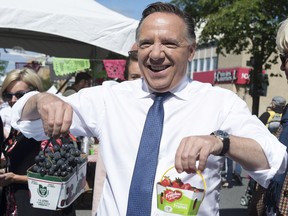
column 169, row 8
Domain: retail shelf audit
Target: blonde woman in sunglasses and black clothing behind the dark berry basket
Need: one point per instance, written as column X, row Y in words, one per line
column 20, row 152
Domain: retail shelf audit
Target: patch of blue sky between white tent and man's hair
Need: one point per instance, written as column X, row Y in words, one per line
column 130, row 8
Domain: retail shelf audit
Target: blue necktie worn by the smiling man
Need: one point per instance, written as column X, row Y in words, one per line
column 141, row 188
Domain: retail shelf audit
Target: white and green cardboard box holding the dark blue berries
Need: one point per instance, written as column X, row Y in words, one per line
column 52, row 192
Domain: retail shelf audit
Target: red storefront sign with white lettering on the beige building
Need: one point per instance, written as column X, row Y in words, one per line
column 227, row 75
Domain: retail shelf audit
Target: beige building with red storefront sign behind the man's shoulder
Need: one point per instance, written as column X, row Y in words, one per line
column 232, row 72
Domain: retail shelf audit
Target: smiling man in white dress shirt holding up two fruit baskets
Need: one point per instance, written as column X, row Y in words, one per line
column 115, row 113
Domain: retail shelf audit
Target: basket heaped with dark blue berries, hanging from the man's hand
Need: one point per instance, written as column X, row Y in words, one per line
column 58, row 176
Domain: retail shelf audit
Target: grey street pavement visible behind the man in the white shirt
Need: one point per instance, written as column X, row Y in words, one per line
column 230, row 200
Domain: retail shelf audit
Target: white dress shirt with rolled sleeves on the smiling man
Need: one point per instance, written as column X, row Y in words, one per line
column 115, row 113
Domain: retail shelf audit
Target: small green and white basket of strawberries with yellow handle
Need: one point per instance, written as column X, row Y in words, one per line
column 183, row 199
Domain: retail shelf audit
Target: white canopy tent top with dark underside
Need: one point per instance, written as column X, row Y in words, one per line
column 65, row 28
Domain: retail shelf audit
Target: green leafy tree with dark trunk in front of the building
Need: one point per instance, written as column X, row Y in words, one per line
column 240, row 25
